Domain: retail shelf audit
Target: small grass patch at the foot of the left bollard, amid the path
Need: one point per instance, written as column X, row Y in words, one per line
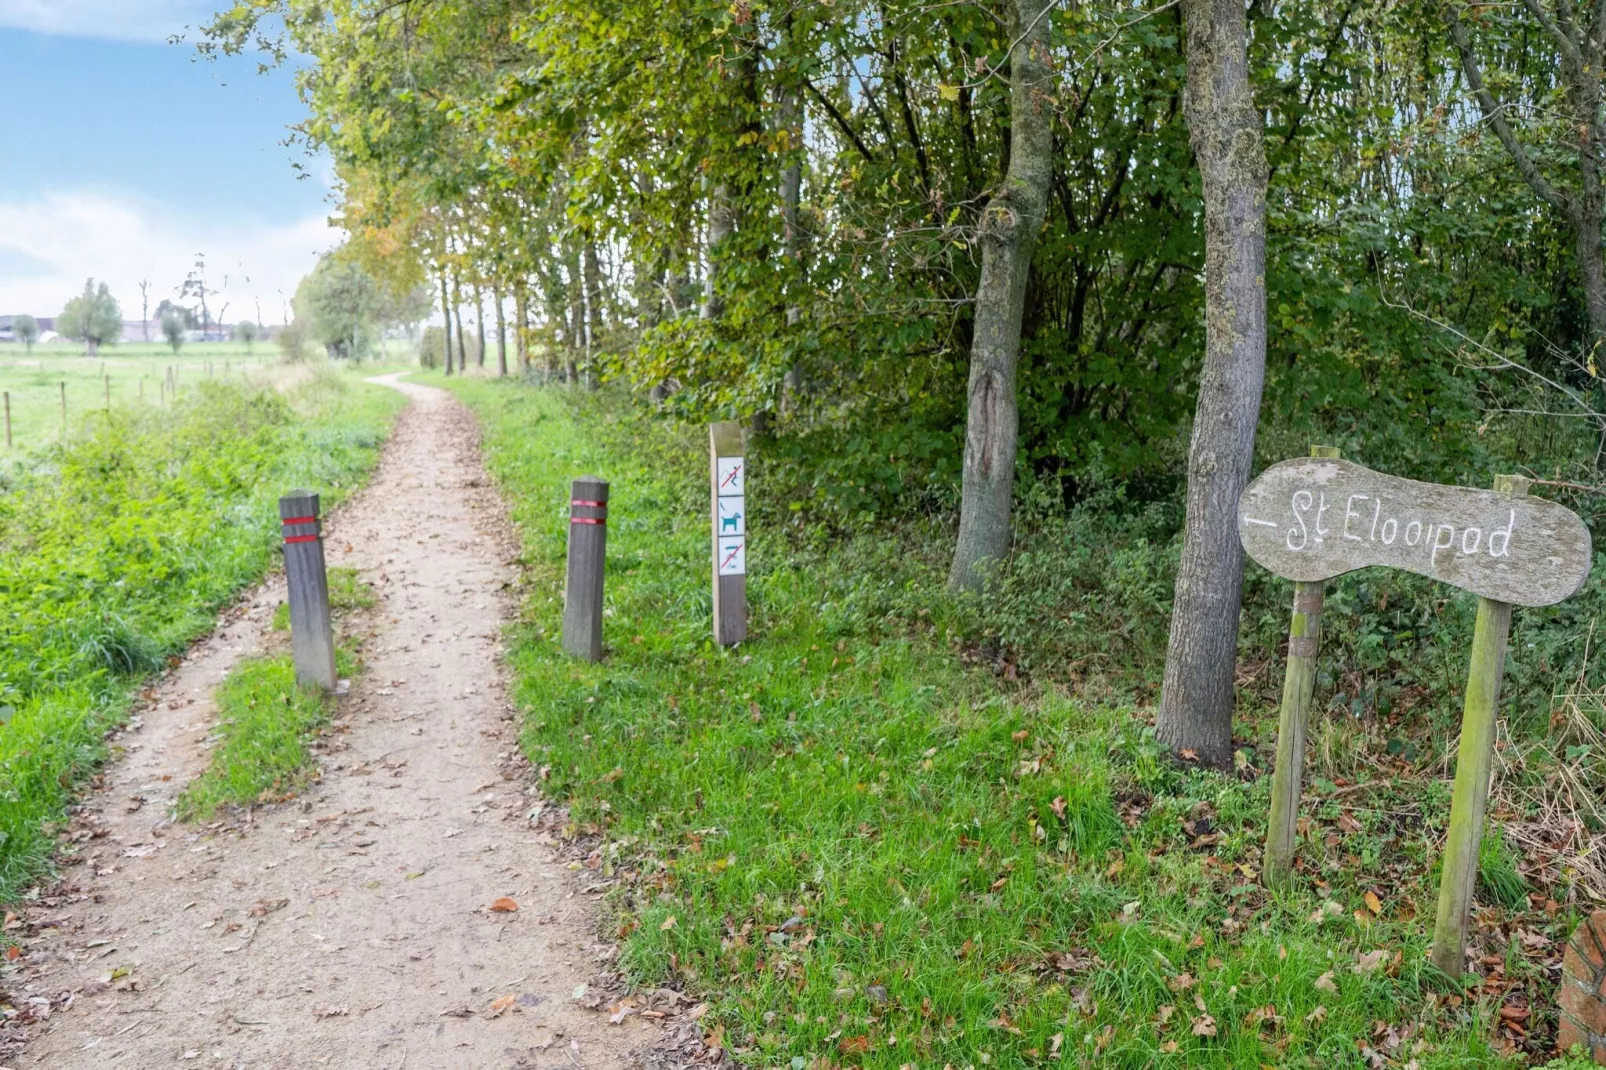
column 267, row 730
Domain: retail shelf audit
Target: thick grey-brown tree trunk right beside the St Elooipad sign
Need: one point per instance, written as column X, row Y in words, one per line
column 1196, row 704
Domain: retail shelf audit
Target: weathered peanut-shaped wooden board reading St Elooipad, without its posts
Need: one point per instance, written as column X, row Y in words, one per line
column 1313, row 520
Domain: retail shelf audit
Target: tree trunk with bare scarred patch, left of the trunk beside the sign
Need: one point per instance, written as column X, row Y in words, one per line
column 1008, row 234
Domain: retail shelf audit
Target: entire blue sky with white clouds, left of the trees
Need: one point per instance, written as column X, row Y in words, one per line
column 128, row 158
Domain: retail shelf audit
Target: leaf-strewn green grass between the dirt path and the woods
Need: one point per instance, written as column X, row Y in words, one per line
column 863, row 854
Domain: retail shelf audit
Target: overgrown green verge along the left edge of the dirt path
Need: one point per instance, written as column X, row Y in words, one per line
column 118, row 549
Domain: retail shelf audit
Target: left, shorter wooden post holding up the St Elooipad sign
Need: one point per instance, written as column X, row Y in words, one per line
column 1305, row 642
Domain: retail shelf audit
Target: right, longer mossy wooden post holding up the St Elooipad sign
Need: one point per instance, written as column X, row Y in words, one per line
column 1474, row 762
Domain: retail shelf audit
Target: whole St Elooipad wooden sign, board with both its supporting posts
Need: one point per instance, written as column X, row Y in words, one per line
column 1315, row 520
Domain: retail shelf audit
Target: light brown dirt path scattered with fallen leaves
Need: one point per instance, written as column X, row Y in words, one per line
column 353, row 929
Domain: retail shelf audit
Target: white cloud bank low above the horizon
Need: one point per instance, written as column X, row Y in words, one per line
column 67, row 239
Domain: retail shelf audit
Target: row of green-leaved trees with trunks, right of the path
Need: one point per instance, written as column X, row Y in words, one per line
column 958, row 245
